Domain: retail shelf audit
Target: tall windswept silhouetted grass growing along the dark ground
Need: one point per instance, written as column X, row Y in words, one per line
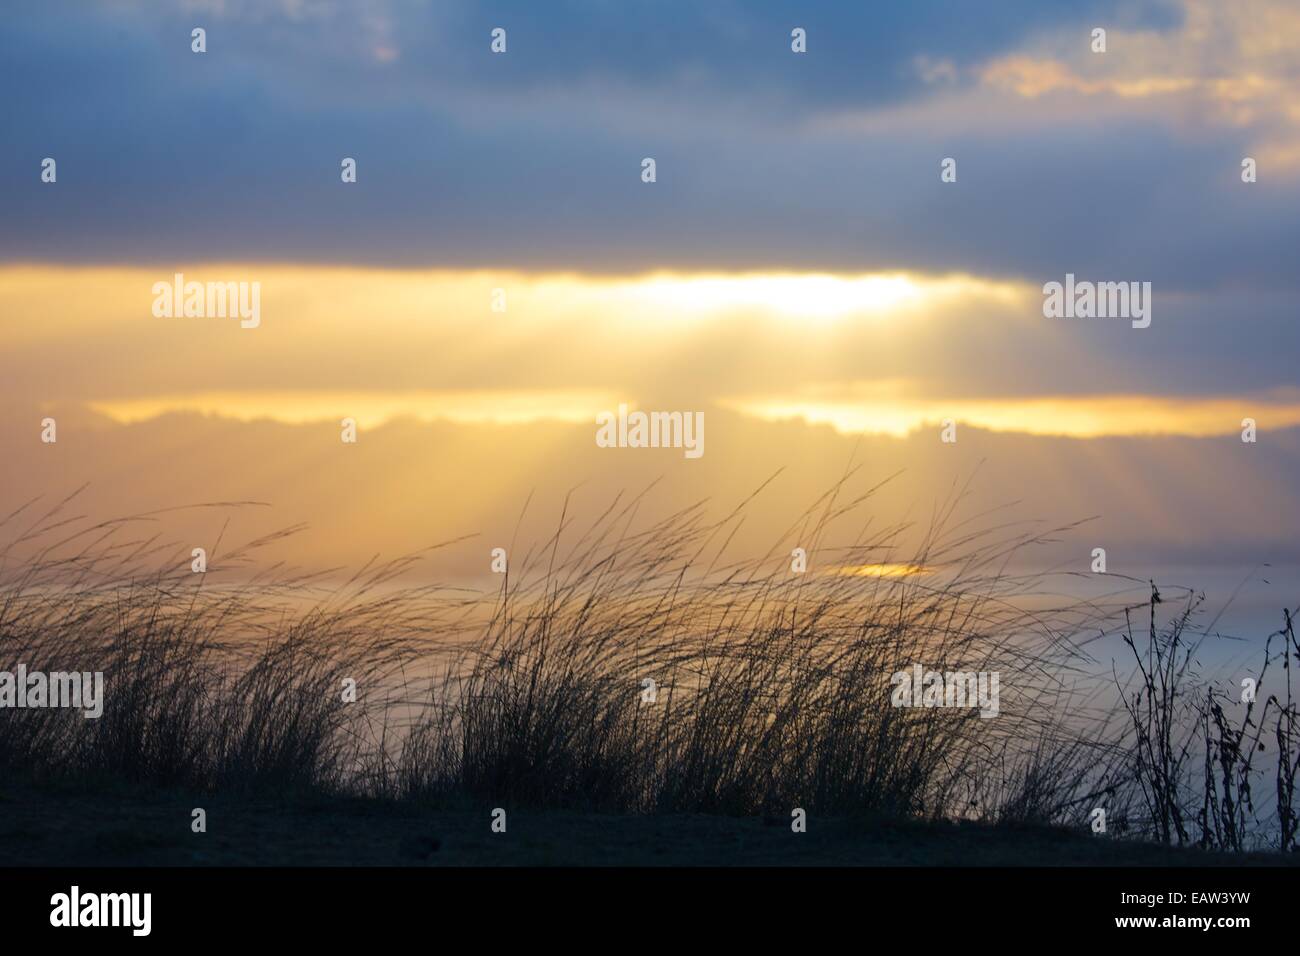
column 619, row 669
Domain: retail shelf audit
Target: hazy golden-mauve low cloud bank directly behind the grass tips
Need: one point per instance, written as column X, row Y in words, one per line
column 408, row 486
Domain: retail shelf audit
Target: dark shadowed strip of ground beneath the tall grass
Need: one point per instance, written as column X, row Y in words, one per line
column 122, row 828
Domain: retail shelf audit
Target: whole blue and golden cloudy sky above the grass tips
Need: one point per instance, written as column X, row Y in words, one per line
column 799, row 271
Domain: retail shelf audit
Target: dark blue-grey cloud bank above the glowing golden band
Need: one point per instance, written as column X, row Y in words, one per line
column 532, row 159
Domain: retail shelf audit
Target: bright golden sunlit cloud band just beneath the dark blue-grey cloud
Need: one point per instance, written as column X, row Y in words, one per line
column 679, row 340
